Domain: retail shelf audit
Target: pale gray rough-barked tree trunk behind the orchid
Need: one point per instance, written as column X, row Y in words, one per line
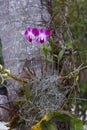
column 15, row 17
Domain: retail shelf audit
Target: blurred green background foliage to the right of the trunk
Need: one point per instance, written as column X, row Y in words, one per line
column 75, row 34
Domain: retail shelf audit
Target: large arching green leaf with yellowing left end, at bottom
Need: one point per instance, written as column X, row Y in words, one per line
column 48, row 122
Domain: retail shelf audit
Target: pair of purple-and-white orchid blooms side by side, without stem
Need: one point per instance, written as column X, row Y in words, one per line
column 37, row 35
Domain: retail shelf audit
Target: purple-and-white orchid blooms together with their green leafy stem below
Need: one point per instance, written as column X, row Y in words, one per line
column 42, row 38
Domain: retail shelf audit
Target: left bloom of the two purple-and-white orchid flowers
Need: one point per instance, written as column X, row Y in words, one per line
column 31, row 34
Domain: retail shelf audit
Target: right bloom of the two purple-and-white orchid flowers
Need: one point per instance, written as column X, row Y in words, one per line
column 43, row 36
